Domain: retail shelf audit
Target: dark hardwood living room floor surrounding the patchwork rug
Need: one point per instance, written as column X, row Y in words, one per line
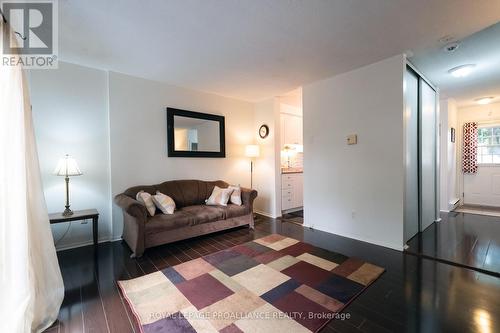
column 413, row 295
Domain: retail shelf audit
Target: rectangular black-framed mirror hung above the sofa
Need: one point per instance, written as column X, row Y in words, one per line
column 195, row 134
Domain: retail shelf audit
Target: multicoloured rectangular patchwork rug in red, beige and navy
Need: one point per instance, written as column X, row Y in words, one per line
column 272, row 284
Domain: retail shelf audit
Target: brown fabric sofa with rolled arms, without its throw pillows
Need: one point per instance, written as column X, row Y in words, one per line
column 191, row 217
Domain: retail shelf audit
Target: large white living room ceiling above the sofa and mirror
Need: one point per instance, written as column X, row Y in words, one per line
column 255, row 49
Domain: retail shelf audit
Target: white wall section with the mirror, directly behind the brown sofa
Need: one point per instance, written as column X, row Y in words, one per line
column 139, row 132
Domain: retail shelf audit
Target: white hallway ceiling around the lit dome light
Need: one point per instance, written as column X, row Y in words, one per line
column 481, row 49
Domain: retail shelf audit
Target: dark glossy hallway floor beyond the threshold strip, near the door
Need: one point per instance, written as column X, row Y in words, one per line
column 469, row 240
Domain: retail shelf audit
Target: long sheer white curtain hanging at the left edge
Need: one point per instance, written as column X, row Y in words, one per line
column 31, row 286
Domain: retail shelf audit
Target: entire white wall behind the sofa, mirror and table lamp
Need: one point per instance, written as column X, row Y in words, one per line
column 115, row 127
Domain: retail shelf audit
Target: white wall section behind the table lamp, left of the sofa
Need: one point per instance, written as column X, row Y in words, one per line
column 70, row 117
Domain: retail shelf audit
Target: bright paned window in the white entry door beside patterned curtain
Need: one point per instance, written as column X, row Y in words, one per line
column 488, row 143
